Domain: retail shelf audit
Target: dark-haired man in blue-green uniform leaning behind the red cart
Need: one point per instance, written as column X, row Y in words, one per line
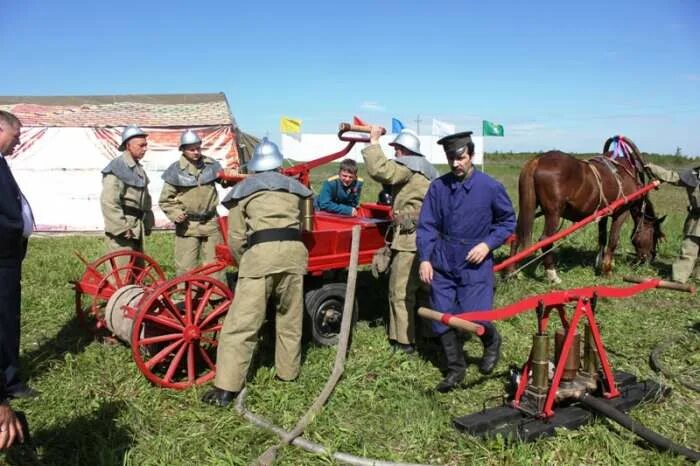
column 341, row 193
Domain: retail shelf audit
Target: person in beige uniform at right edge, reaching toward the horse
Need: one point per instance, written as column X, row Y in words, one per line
column 689, row 179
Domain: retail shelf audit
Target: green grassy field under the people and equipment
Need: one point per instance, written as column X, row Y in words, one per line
column 95, row 408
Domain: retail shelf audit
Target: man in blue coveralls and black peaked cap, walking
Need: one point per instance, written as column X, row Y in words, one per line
column 466, row 214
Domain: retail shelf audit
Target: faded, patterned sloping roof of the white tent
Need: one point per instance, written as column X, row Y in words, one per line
column 149, row 110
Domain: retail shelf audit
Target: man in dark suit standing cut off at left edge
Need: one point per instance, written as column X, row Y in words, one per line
column 16, row 225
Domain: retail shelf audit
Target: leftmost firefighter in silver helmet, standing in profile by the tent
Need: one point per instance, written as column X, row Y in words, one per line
column 125, row 201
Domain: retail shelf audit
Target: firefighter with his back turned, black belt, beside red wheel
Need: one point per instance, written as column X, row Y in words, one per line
column 265, row 239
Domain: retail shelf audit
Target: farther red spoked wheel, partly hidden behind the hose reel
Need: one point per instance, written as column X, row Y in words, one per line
column 106, row 275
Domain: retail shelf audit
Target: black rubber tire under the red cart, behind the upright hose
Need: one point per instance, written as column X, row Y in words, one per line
column 324, row 307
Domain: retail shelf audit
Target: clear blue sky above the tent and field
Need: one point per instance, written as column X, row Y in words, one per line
column 555, row 74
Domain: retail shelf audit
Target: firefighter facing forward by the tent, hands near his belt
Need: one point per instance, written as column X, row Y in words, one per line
column 189, row 199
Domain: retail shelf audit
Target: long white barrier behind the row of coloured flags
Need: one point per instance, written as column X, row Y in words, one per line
column 304, row 147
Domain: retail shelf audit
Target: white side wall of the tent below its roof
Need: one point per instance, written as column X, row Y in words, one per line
column 58, row 170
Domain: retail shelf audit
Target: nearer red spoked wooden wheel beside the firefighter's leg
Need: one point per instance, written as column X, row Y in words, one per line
column 176, row 329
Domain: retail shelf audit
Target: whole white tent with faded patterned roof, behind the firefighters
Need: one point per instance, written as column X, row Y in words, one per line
column 66, row 141
